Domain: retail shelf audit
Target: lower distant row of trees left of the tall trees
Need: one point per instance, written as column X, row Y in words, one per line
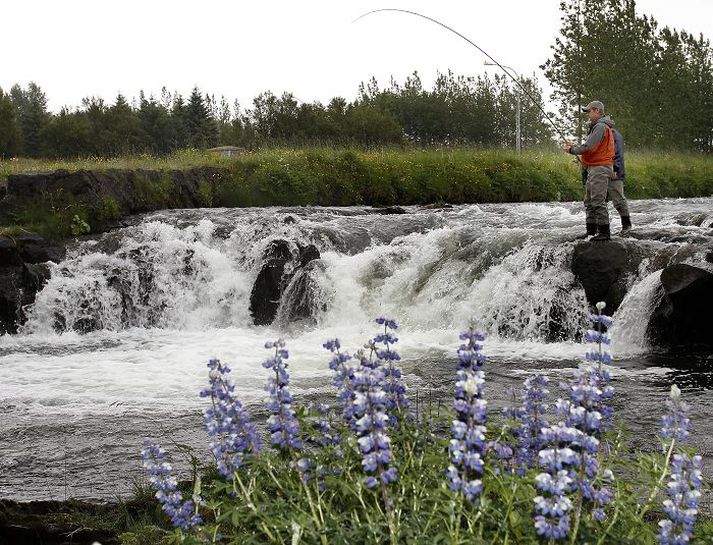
column 458, row 110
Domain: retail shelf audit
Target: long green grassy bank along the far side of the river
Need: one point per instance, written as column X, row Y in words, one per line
column 342, row 177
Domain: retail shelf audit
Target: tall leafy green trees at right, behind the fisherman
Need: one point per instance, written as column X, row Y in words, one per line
column 657, row 82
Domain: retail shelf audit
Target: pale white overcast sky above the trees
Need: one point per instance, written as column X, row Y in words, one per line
column 76, row 48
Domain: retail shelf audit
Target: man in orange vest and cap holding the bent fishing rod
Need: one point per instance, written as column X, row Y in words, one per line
column 597, row 156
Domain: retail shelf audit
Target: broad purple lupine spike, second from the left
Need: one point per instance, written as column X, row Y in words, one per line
column 228, row 421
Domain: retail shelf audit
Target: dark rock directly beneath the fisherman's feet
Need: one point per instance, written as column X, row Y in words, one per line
column 605, row 269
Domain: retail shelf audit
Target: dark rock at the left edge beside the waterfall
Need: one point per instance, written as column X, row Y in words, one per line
column 22, row 275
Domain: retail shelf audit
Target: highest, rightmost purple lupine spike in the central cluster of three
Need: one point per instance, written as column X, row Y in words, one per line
column 383, row 347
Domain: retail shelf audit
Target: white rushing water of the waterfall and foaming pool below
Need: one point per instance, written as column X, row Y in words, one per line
column 160, row 297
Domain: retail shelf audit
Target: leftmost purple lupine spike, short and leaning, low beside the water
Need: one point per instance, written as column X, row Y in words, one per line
column 183, row 514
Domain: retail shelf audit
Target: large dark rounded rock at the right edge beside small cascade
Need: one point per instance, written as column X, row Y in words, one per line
column 682, row 318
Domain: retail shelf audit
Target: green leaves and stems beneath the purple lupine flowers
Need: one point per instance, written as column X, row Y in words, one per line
column 269, row 502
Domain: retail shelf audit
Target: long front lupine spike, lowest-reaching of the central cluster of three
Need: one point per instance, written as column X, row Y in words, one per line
column 370, row 422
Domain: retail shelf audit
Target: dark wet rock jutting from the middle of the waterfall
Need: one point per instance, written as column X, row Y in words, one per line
column 279, row 265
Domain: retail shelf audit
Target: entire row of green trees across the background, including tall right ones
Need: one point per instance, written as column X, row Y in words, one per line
column 657, row 83
